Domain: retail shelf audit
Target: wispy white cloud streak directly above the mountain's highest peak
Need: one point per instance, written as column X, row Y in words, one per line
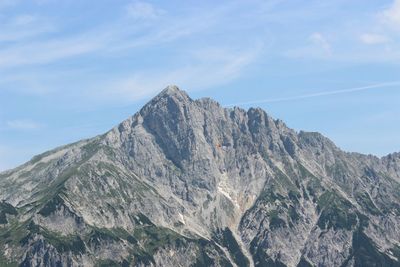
column 209, row 67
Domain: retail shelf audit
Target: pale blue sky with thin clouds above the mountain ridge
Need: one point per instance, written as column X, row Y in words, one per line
column 74, row 69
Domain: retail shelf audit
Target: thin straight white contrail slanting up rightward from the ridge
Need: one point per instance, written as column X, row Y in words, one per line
column 335, row 92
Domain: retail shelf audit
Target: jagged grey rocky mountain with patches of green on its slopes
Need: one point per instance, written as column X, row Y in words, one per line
column 188, row 183
